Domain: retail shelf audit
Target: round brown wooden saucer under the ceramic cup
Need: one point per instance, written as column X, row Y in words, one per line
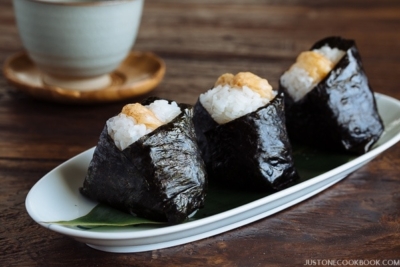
column 138, row 74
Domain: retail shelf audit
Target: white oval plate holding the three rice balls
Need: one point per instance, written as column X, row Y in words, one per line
column 56, row 197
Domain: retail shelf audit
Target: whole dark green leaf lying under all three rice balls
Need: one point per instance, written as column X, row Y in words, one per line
column 309, row 163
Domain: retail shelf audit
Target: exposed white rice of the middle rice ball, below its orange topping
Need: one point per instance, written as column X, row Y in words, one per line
column 225, row 103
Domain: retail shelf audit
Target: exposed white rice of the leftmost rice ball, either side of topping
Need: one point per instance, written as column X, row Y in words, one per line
column 124, row 129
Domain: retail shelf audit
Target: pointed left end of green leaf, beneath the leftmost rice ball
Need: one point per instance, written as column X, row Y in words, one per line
column 103, row 215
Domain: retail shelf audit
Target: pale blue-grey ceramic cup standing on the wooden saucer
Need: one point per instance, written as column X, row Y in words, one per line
column 76, row 44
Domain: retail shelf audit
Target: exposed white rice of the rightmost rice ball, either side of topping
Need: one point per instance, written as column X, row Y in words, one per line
column 297, row 81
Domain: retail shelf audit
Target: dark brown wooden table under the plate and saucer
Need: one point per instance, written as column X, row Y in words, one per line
column 358, row 218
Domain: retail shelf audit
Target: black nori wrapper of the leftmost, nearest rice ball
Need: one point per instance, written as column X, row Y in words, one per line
column 160, row 177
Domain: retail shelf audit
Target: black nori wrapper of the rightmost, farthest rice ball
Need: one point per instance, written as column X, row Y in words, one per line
column 340, row 112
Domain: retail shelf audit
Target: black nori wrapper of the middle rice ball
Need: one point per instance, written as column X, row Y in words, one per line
column 251, row 152
